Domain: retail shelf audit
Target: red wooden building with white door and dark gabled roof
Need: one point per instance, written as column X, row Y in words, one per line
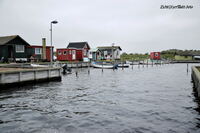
column 75, row 51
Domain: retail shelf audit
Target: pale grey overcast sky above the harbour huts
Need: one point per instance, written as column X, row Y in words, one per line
column 138, row 26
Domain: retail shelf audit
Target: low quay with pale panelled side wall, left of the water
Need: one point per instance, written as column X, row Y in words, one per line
column 14, row 76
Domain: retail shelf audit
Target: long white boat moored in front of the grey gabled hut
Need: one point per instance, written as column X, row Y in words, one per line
column 103, row 65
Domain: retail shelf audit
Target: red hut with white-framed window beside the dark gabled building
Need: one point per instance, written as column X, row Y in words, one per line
column 39, row 54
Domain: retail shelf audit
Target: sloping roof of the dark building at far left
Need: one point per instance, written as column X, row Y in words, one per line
column 6, row 39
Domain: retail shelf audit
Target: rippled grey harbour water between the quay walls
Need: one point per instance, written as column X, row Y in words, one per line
column 154, row 100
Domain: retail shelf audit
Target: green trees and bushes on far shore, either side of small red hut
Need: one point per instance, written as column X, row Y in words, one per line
column 166, row 54
